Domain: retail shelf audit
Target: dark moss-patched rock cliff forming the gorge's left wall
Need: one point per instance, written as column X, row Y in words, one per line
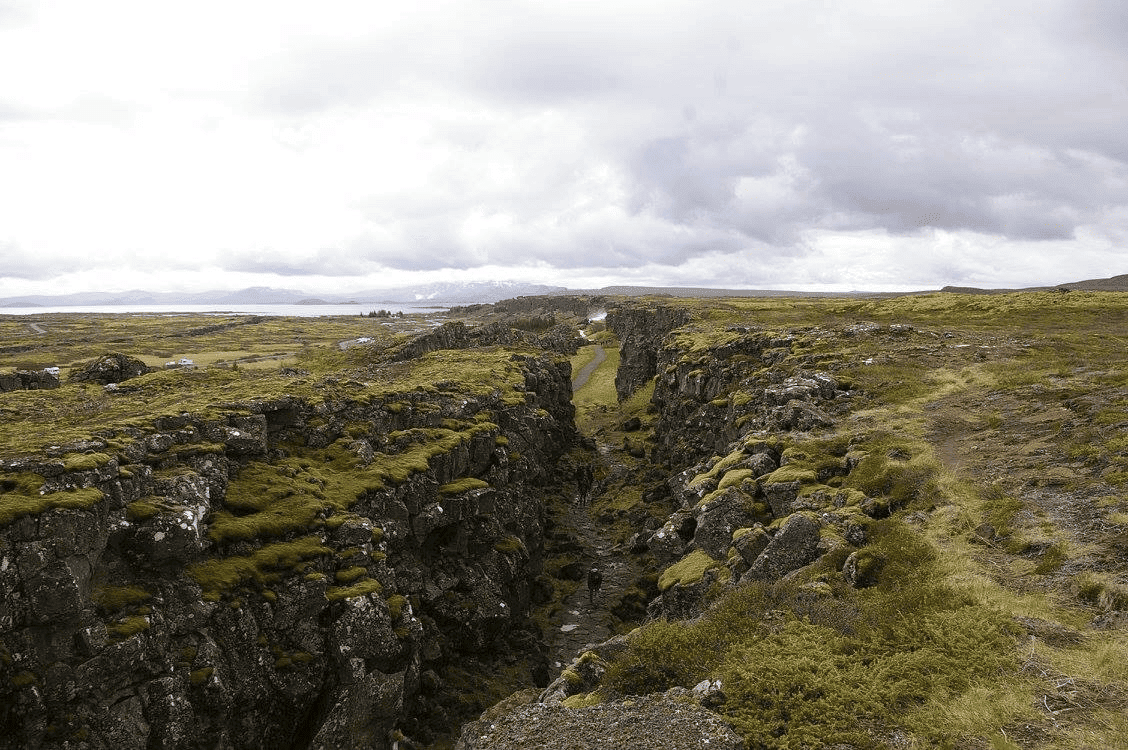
column 290, row 573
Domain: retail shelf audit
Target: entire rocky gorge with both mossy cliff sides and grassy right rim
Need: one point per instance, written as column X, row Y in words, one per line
column 801, row 545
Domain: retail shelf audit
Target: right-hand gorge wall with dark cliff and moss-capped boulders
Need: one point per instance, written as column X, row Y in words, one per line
column 735, row 410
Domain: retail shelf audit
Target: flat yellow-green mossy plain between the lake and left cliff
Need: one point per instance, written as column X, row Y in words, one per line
column 319, row 370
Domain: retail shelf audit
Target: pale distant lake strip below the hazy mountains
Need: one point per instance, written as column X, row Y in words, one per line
column 281, row 311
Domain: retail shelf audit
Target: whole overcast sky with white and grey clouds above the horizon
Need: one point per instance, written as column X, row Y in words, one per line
column 813, row 145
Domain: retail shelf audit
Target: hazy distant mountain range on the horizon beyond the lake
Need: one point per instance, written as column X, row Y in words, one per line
column 453, row 293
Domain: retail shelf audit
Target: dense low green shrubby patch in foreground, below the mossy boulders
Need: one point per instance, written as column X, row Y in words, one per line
column 803, row 672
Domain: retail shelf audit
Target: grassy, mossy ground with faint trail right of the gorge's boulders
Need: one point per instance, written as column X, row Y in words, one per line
column 997, row 426
